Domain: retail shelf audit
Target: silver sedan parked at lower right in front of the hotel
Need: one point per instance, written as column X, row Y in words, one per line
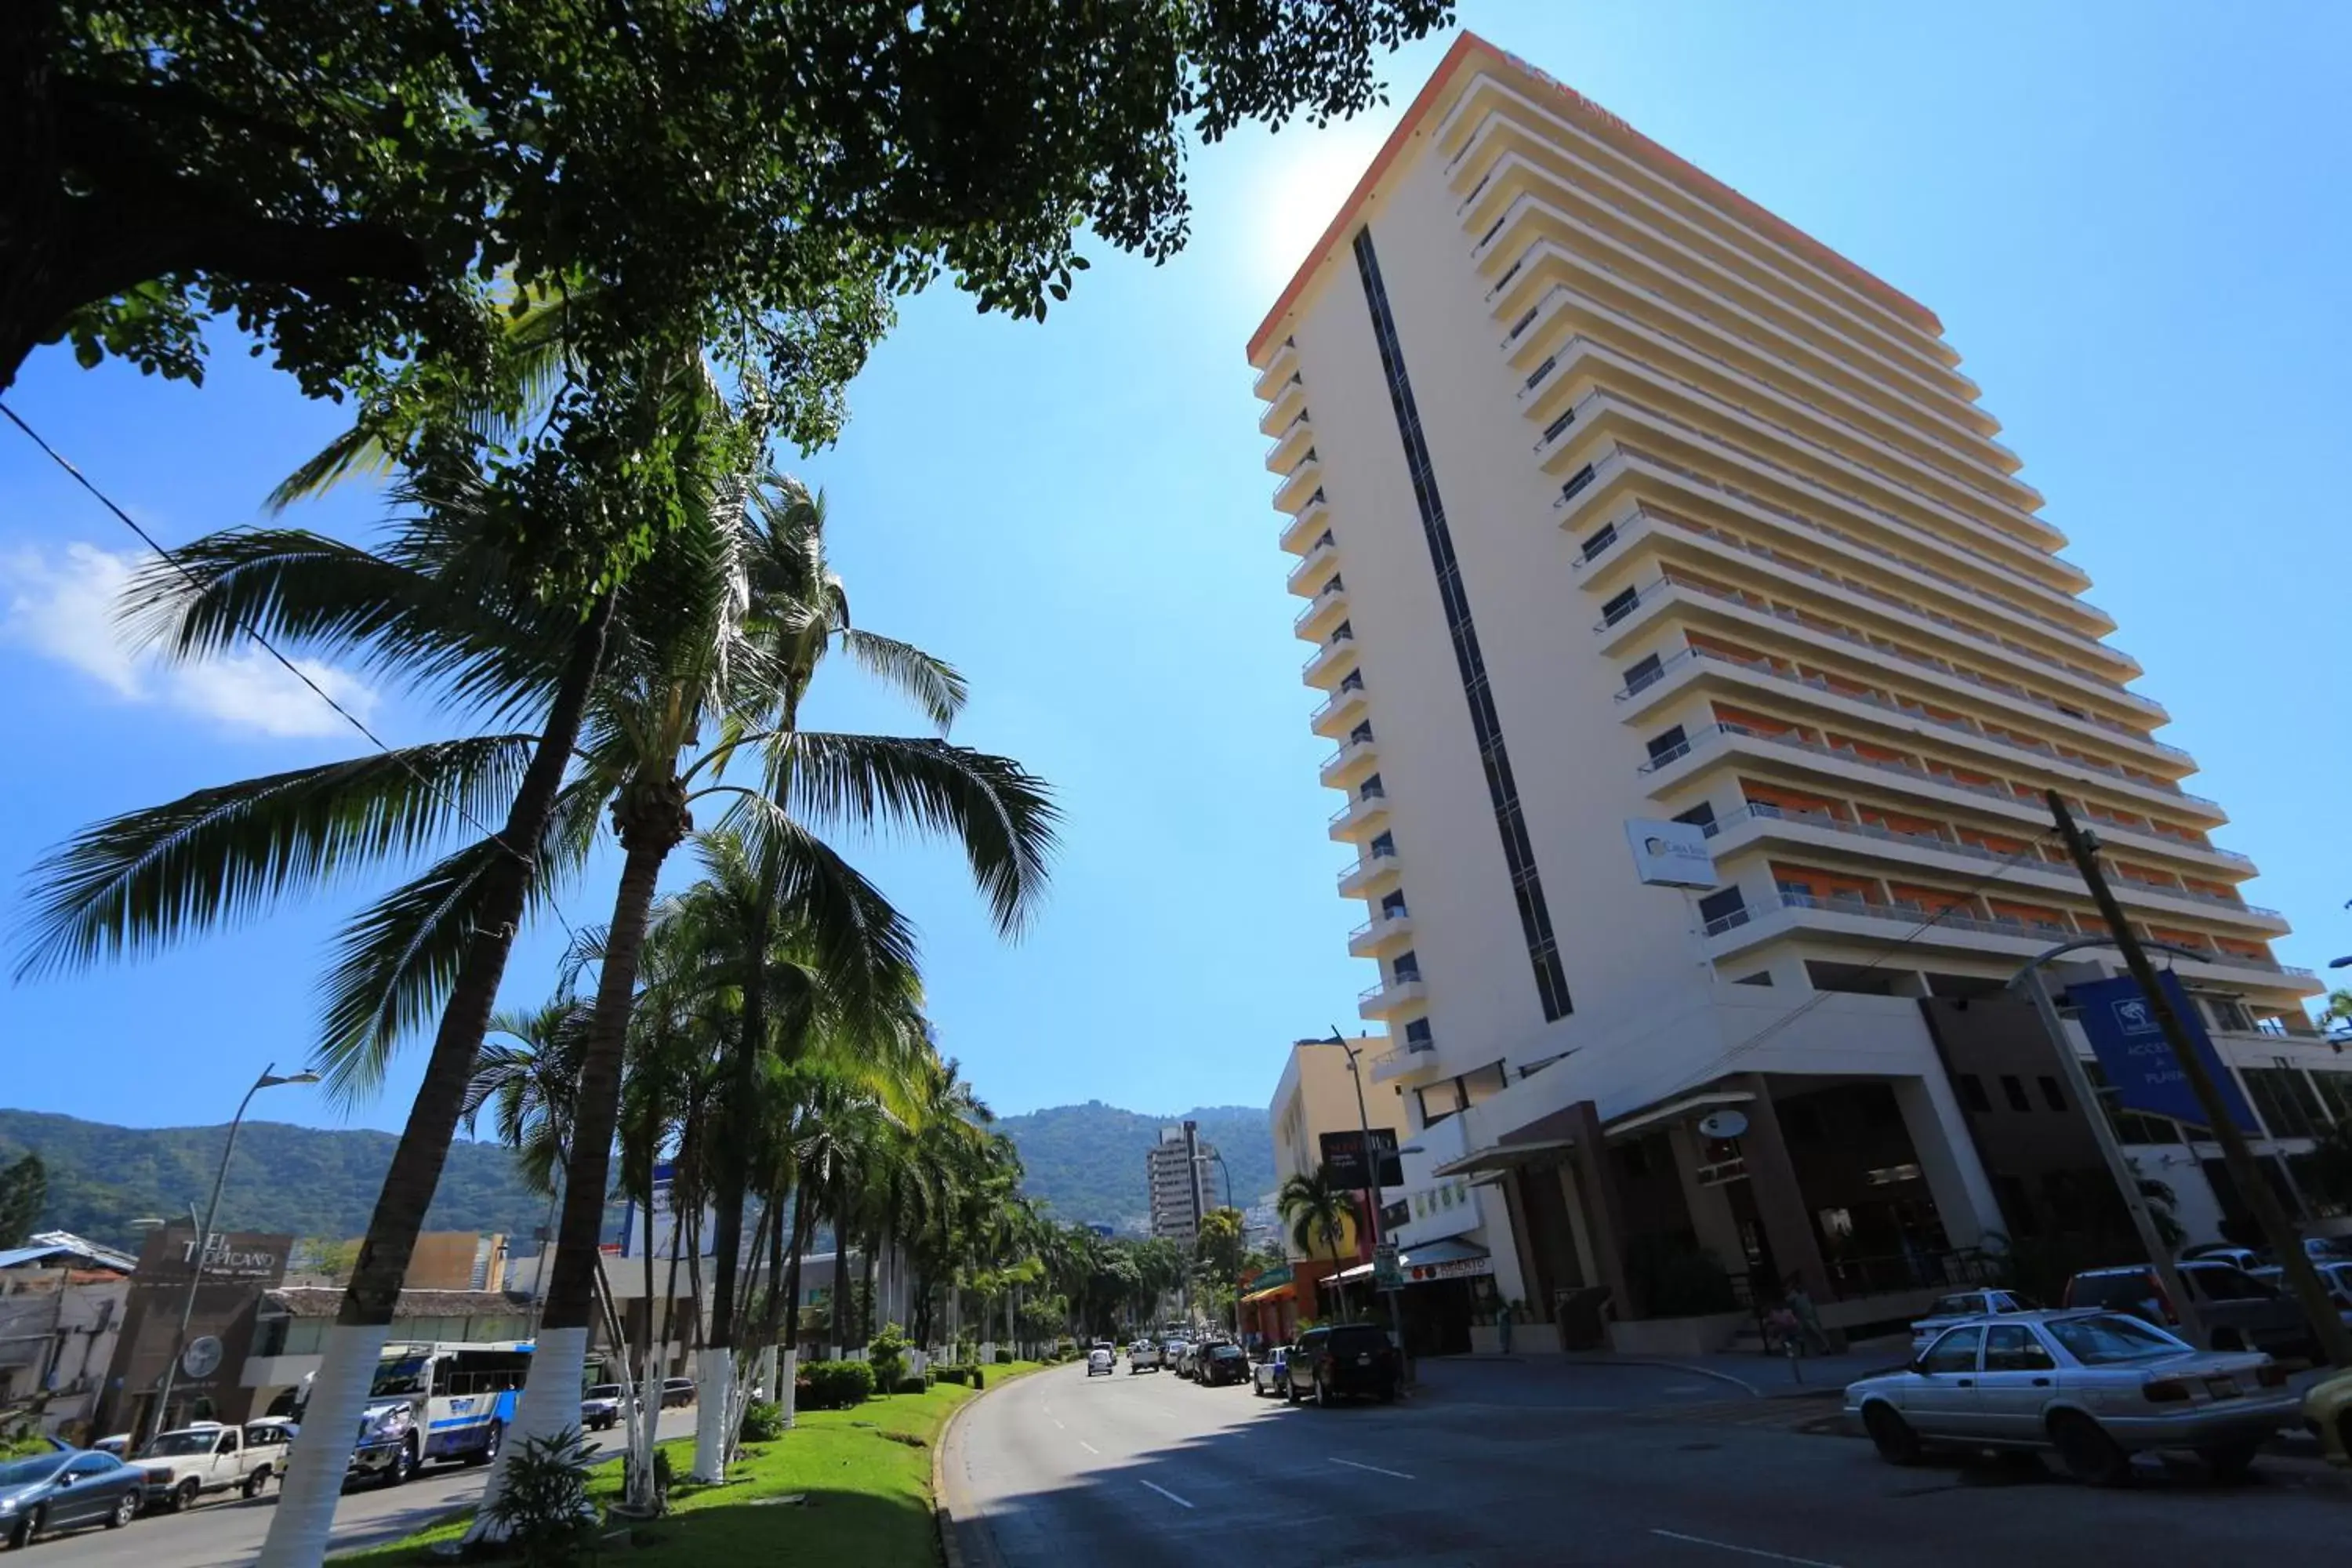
column 2094, row 1386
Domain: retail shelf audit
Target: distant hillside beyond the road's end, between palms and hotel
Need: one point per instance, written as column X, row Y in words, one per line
column 1088, row 1160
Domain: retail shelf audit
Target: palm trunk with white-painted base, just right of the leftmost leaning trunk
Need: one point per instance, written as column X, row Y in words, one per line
column 653, row 822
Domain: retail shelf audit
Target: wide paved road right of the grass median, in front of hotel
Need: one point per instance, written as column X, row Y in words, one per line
column 1636, row 1466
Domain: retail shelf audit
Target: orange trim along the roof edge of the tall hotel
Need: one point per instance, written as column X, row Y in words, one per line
column 1612, row 130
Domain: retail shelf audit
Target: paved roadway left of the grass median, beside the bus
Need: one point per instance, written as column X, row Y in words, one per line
column 229, row 1534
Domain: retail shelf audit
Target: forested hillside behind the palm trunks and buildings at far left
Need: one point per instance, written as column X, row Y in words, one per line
column 283, row 1179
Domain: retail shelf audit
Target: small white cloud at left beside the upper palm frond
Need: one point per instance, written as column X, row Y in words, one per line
column 62, row 605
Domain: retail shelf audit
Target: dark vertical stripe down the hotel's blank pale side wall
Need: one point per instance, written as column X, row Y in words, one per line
column 1485, row 723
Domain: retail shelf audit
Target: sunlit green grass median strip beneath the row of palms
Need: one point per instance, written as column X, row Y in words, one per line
column 862, row 1482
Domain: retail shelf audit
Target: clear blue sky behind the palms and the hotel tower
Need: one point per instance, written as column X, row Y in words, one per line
column 2132, row 222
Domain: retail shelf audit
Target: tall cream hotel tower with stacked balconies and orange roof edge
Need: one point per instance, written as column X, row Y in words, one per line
column 1612, row 497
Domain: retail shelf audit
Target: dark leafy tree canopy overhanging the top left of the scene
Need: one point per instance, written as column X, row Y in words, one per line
column 361, row 187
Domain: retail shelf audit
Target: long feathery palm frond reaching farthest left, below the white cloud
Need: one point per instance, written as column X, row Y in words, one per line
column 220, row 857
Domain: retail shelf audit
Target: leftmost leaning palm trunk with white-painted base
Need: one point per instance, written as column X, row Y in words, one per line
column 314, row 1482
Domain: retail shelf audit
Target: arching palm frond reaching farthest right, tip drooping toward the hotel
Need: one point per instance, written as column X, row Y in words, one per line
column 991, row 805
